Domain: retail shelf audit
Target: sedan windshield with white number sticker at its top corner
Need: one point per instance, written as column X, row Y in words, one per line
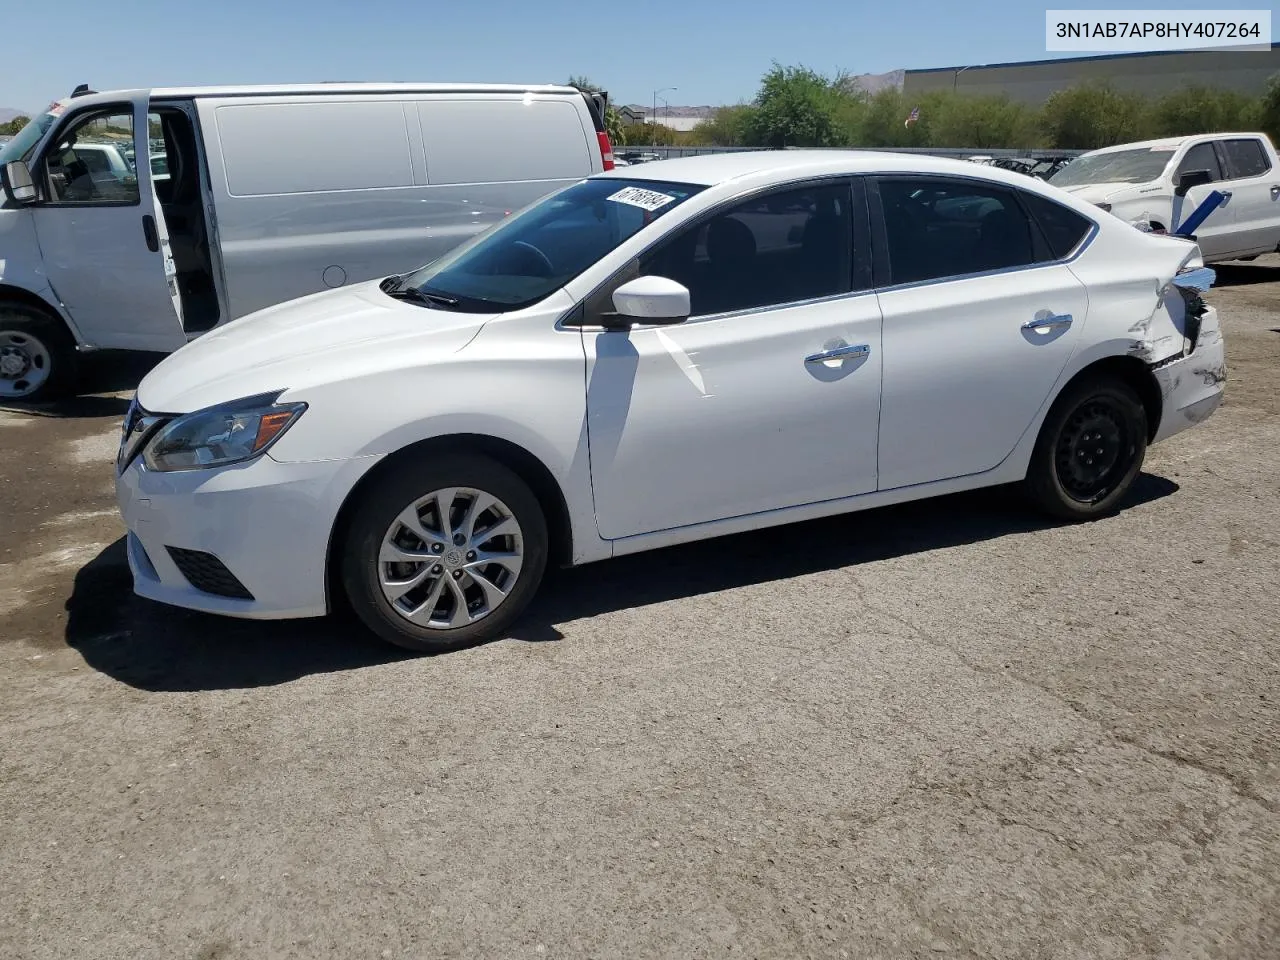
column 523, row 260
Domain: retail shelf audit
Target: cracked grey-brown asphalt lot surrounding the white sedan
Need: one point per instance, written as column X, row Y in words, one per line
column 943, row 729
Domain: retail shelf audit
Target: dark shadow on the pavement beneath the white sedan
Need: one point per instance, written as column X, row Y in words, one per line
column 159, row 648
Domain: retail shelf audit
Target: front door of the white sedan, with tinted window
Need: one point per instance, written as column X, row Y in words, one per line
column 767, row 397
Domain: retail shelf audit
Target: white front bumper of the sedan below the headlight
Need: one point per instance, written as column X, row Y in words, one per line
column 267, row 523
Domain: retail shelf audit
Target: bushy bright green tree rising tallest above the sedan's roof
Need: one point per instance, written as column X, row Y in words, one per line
column 797, row 107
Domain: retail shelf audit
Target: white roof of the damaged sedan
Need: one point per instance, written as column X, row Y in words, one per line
column 783, row 166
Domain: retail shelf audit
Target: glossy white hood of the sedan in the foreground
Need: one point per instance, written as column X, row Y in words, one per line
column 301, row 344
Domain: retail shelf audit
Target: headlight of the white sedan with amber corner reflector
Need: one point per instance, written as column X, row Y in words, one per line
column 228, row 433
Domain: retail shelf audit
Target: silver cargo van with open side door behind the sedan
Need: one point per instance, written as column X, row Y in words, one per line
column 140, row 220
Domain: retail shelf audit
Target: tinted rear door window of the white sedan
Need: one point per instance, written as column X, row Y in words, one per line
column 938, row 228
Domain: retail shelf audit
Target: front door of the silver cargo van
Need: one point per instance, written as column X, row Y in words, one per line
column 102, row 235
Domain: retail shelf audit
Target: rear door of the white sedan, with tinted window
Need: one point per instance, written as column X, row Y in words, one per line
column 977, row 331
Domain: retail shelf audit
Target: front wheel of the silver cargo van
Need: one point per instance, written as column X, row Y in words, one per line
column 38, row 355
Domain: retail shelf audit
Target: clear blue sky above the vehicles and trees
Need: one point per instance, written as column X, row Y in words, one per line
column 714, row 52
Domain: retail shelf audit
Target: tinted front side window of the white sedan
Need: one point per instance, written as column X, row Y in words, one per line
column 780, row 249
